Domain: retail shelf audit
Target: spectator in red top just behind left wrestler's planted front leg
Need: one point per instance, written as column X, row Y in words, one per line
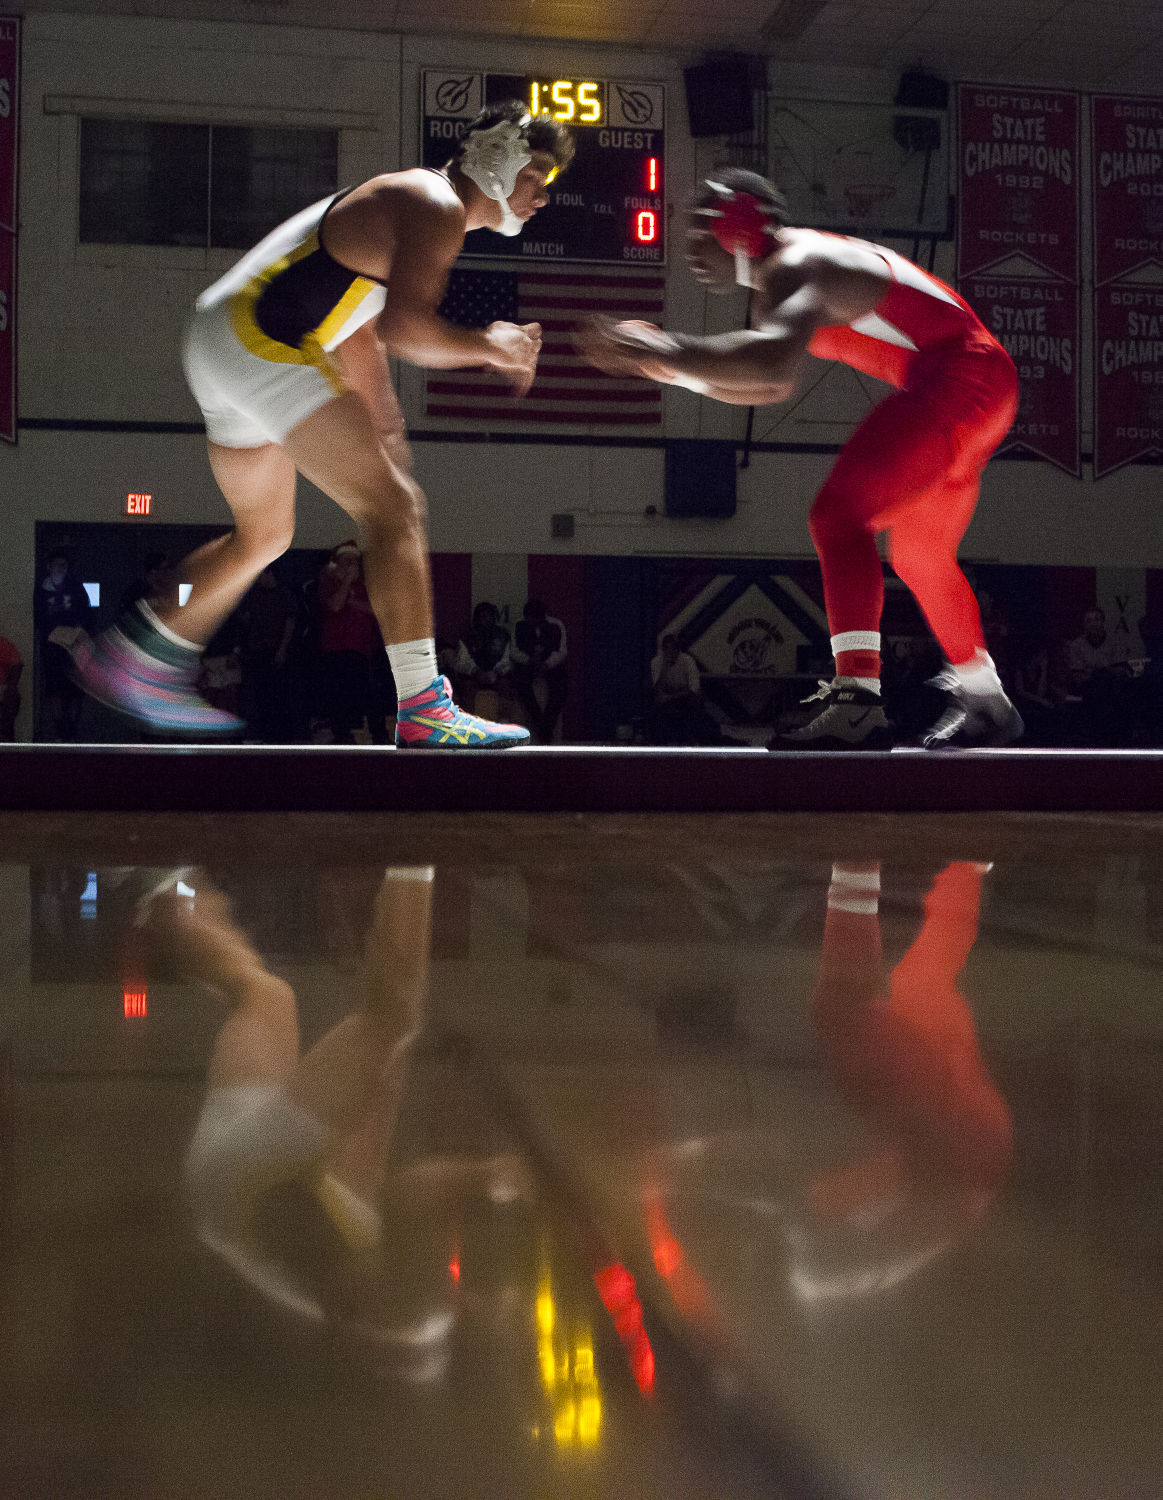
column 349, row 644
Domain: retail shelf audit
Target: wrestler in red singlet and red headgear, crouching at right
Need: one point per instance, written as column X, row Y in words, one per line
column 912, row 469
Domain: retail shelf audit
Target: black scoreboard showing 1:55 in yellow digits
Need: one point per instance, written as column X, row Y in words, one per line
column 609, row 206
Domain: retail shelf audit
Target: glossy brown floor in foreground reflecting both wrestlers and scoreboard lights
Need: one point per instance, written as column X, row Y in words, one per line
column 581, row 1157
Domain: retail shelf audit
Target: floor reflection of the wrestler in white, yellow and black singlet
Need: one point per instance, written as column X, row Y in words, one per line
column 287, row 1163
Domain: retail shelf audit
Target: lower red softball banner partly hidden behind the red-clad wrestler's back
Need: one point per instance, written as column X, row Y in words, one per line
column 1038, row 322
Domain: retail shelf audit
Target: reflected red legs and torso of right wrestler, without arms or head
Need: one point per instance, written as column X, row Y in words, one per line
column 907, row 1057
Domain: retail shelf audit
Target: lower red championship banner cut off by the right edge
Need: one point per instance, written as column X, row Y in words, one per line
column 1128, row 376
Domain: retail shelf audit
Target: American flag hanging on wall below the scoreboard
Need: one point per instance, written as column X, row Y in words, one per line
column 568, row 391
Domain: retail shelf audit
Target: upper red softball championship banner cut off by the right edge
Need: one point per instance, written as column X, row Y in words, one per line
column 1128, row 161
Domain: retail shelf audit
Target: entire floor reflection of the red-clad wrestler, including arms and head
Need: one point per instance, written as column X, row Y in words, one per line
column 852, row 1202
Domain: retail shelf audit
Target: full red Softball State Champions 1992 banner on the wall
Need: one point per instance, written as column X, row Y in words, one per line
column 1018, row 188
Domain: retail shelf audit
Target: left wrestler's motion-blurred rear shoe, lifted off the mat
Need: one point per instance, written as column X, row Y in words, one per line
column 139, row 673
